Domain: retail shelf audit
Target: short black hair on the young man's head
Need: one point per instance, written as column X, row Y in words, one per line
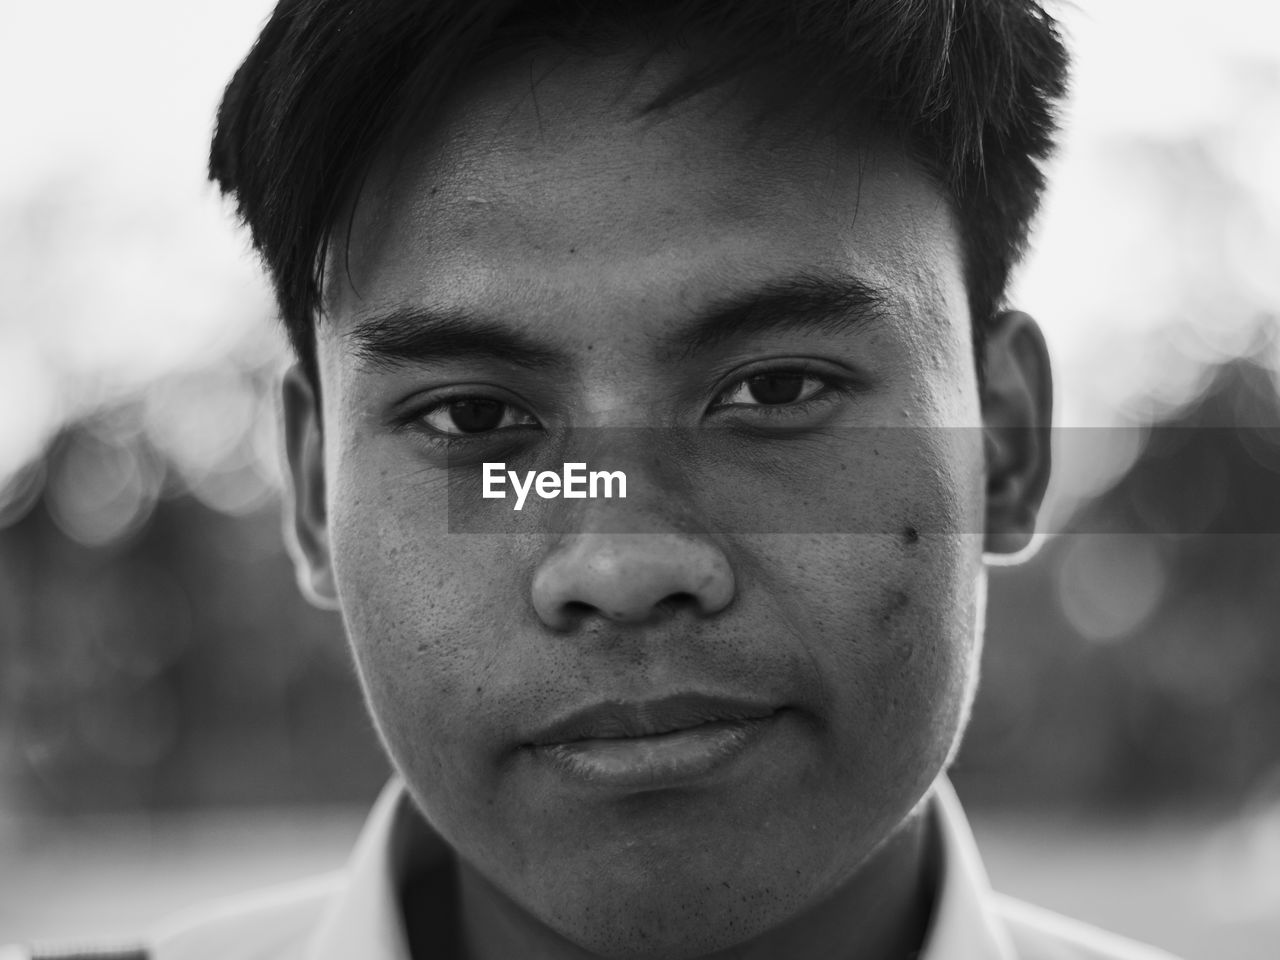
column 971, row 88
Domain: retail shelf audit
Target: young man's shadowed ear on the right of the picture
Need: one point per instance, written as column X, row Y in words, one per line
column 1017, row 413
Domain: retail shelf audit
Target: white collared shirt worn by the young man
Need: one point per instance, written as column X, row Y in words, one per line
column 355, row 913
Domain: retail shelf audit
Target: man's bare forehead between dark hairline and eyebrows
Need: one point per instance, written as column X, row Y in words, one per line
column 541, row 168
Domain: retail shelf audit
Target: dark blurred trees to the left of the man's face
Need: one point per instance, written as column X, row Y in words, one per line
column 156, row 651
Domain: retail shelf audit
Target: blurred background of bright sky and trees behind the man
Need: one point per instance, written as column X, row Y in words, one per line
column 176, row 724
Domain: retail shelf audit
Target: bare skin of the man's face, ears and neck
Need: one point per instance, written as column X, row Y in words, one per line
column 552, row 211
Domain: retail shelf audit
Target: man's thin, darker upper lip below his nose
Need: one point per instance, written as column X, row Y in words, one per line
column 623, row 719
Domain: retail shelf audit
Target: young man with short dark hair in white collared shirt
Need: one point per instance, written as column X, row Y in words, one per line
column 752, row 255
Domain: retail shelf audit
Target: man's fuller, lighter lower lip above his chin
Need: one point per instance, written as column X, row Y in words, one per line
column 661, row 761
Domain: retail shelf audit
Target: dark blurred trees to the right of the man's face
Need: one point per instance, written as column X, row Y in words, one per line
column 1137, row 659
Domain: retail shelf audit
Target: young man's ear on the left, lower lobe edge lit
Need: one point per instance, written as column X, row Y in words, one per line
column 307, row 515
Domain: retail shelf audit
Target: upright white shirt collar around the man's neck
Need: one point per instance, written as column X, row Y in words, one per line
column 364, row 920
